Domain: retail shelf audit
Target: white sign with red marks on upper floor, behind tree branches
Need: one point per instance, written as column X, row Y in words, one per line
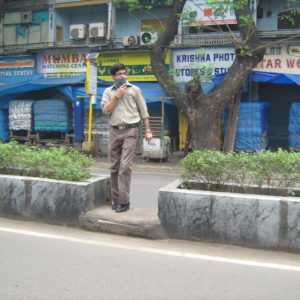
column 202, row 13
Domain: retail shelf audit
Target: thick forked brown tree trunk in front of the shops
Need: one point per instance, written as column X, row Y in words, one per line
column 204, row 111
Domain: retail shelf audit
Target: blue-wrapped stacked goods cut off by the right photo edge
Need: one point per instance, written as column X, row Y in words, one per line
column 294, row 126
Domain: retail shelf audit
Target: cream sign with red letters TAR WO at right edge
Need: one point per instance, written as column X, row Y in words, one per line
column 281, row 59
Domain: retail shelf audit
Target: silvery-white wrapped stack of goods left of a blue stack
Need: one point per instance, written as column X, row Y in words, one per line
column 20, row 115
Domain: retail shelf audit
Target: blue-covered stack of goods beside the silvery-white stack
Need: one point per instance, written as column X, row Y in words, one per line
column 52, row 115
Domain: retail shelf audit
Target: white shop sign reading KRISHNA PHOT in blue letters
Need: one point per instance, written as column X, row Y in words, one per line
column 214, row 60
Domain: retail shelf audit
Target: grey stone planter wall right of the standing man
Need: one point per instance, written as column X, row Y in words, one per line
column 242, row 219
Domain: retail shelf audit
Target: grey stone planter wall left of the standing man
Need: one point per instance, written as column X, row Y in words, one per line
column 50, row 200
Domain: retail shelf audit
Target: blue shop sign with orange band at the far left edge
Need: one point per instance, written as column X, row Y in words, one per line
column 15, row 69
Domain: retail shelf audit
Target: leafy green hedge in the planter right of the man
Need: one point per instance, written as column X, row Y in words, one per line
column 271, row 169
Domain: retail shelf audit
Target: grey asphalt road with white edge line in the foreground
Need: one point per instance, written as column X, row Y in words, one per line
column 47, row 262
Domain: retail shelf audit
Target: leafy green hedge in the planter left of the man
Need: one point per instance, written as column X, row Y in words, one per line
column 57, row 163
